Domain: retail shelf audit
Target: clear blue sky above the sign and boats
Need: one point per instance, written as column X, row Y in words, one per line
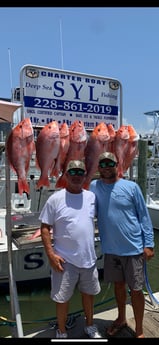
column 113, row 42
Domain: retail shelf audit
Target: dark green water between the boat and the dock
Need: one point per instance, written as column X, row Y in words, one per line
column 38, row 310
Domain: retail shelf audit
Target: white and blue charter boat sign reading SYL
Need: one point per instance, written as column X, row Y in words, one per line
column 50, row 94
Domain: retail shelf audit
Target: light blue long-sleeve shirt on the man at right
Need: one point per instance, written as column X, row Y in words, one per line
column 123, row 220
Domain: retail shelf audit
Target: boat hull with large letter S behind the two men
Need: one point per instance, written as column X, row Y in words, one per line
column 29, row 258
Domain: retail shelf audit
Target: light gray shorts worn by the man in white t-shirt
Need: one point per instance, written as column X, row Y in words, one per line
column 63, row 283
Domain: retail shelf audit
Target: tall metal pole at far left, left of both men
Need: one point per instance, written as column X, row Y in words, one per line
column 17, row 331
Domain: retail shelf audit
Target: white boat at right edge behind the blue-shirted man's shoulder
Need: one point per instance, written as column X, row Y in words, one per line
column 145, row 169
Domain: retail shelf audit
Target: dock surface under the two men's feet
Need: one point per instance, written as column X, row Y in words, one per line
column 103, row 320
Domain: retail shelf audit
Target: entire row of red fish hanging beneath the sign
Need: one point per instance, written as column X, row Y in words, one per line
column 57, row 144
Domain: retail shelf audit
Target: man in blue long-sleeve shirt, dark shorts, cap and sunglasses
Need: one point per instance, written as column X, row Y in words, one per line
column 127, row 238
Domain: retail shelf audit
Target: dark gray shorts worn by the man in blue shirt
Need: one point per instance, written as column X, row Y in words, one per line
column 125, row 268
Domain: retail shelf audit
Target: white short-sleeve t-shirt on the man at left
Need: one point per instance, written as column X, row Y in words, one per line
column 72, row 218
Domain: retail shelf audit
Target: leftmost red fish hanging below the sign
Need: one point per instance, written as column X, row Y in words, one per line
column 20, row 146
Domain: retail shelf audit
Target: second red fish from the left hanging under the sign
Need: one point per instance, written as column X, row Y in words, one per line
column 47, row 149
